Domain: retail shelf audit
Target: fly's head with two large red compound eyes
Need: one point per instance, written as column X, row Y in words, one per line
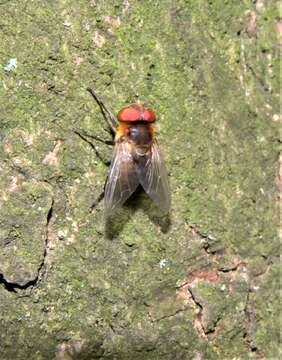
column 136, row 112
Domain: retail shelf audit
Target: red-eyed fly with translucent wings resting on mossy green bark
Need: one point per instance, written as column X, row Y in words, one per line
column 137, row 159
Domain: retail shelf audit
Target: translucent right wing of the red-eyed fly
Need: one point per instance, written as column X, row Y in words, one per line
column 153, row 177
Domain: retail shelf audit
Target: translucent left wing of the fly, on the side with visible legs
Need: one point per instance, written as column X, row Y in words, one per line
column 122, row 179
